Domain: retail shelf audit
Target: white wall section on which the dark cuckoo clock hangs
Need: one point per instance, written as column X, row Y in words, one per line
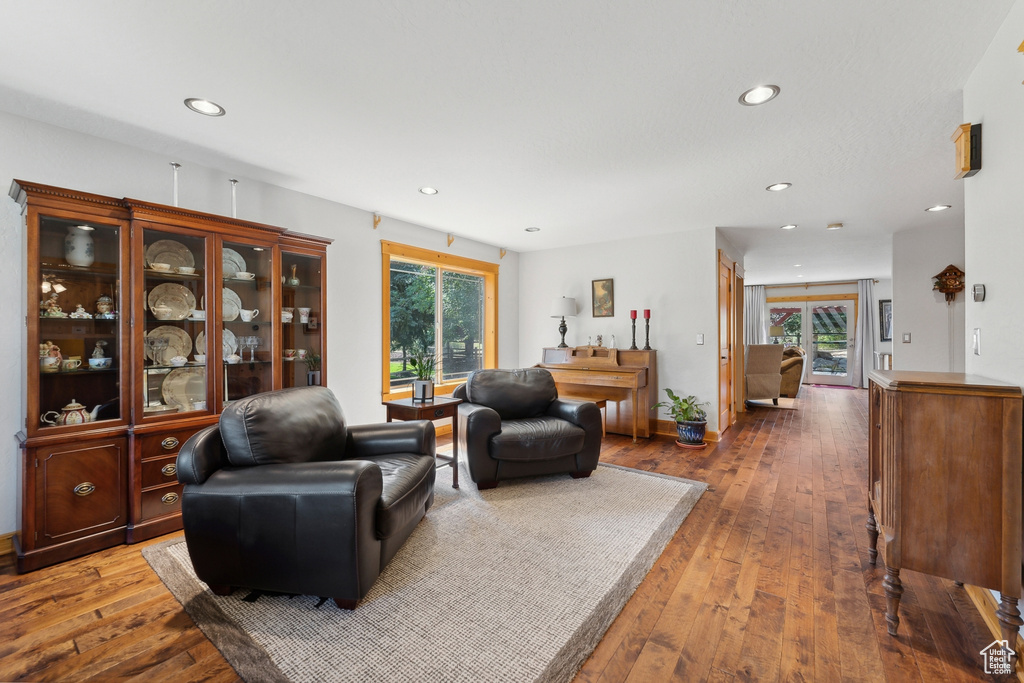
column 936, row 329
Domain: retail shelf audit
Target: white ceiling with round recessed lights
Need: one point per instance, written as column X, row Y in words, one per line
column 593, row 120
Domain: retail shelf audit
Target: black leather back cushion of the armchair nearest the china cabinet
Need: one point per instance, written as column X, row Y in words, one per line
column 298, row 425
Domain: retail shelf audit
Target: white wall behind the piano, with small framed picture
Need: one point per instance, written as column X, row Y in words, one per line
column 673, row 276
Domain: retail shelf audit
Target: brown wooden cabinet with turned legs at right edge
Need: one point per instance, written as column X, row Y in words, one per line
column 945, row 484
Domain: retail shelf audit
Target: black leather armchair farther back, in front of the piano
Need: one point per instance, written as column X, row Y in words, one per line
column 513, row 424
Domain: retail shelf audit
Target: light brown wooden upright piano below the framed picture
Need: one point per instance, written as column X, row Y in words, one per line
column 626, row 379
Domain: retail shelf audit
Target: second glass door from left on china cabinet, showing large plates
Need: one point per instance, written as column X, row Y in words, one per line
column 175, row 353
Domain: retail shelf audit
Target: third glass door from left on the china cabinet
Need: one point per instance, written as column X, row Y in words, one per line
column 247, row 306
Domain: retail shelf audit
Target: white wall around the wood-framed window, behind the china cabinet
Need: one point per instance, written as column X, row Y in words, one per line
column 54, row 156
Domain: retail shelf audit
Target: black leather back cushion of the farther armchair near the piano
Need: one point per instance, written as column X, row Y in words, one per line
column 513, row 394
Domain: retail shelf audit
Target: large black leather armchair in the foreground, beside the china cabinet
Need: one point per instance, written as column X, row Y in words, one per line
column 283, row 496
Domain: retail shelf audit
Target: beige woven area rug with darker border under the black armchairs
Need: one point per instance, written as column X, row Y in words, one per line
column 515, row 584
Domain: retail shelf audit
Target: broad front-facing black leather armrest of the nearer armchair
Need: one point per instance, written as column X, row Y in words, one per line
column 287, row 528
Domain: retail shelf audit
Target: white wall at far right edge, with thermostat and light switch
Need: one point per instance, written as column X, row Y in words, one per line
column 995, row 205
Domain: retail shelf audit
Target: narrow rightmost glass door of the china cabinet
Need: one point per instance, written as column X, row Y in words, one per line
column 302, row 316
